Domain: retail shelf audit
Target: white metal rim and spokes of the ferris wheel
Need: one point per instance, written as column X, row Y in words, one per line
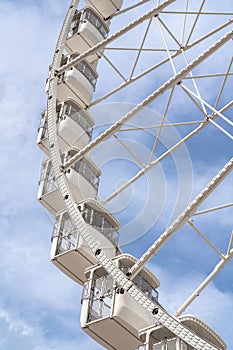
column 172, row 323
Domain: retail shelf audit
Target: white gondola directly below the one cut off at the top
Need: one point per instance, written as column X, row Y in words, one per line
column 87, row 29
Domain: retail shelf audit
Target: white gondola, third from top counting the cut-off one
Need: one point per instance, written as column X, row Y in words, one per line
column 77, row 83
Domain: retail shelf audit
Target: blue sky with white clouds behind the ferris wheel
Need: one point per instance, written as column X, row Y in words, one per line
column 39, row 306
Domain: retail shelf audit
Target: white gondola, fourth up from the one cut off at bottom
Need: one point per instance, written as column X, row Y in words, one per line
column 82, row 177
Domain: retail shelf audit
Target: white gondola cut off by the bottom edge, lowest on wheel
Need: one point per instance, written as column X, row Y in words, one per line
column 160, row 338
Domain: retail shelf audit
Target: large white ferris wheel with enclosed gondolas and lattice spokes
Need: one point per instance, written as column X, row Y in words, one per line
column 138, row 91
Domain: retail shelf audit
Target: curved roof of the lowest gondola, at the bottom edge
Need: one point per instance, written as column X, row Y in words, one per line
column 159, row 332
